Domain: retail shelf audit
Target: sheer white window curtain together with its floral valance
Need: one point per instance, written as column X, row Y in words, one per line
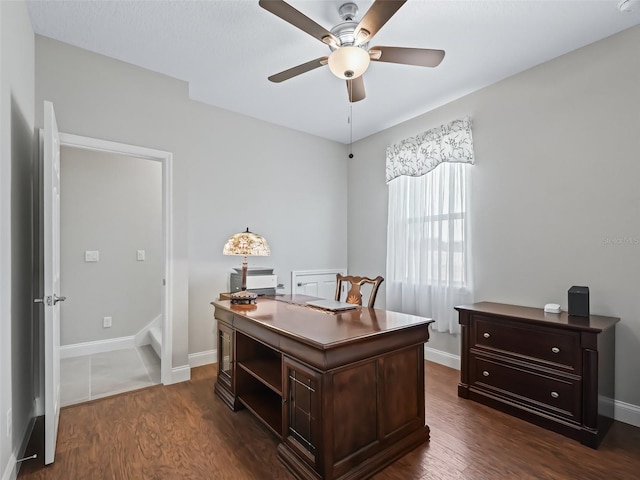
column 428, row 237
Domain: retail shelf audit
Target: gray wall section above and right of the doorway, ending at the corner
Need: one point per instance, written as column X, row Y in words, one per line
column 102, row 98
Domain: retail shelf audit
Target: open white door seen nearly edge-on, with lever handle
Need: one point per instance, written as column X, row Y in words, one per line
column 51, row 229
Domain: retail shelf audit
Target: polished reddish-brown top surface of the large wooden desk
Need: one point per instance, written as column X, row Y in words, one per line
column 288, row 315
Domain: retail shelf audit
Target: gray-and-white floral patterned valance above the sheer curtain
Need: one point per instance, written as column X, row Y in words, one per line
column 419, row 155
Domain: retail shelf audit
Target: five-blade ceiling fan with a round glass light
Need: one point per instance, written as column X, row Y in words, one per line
column 349, row 43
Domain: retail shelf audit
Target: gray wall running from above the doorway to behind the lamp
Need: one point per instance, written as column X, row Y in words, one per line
column 230, row 172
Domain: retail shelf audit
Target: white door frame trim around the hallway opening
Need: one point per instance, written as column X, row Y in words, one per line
column 166, row 159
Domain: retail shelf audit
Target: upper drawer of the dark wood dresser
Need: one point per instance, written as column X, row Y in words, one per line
column 560, row 348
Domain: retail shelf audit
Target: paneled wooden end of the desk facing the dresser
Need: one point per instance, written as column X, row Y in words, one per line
column 377, row 412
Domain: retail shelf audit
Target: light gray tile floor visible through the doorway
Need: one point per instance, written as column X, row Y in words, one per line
column 102, row 374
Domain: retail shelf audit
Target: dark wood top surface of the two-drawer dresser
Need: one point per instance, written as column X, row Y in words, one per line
column 595, row 323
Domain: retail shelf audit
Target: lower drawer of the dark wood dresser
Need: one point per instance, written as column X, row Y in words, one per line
column 558, row 396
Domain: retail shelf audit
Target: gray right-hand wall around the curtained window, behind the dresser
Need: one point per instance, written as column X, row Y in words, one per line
column 554, row 192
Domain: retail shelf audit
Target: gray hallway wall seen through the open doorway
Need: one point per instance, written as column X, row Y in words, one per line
column 111, row 203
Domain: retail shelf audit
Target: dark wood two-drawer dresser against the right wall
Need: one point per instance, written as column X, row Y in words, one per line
column 554, row 370
